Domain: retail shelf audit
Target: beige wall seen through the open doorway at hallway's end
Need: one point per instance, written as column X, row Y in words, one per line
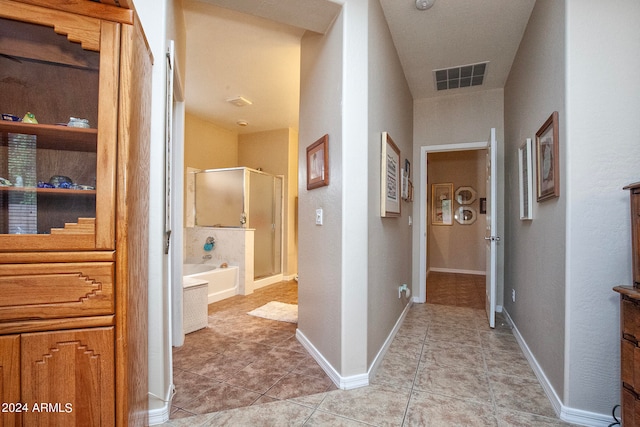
column 458, row 247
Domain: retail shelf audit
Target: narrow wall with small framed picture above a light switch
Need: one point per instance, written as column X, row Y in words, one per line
column 320, row 247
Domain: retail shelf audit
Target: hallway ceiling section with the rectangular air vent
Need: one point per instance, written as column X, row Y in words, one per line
column 454, row 33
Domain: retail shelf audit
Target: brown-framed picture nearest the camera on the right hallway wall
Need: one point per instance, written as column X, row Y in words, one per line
column 547, row 156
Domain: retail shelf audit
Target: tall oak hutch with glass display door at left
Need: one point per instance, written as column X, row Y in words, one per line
column 73, row 213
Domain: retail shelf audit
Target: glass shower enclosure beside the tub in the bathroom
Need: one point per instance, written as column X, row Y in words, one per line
column 244, row 198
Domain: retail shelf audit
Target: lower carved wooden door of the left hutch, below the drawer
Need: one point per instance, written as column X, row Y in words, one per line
column 68, row 378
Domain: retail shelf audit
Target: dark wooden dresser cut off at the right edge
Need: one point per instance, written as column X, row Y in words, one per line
column 630, row 323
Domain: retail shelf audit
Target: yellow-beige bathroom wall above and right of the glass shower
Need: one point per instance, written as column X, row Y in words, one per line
column 276, row 152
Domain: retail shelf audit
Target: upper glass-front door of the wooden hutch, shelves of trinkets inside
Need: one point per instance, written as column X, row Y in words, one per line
column 58, row 65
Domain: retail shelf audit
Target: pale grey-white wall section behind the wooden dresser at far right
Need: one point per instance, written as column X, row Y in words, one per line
column 603, row 134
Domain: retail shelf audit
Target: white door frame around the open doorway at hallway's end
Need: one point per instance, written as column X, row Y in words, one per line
column 425, row 150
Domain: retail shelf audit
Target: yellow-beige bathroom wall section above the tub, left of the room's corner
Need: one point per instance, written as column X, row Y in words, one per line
column 207, row 146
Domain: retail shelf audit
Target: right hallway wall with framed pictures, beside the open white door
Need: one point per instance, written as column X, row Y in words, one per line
column 535, row 265
